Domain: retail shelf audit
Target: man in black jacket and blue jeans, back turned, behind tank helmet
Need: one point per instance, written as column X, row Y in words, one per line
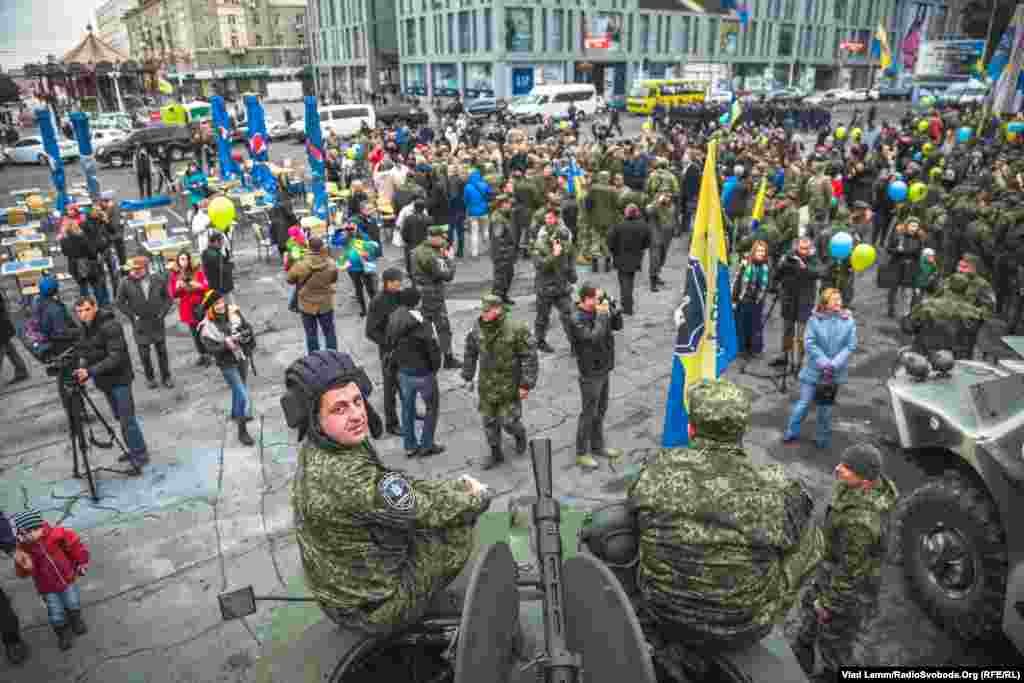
column 418, row 358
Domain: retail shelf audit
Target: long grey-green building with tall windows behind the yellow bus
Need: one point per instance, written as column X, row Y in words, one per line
column 504, row 48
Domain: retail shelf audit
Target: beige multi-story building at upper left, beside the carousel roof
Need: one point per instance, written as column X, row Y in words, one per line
column 221, row 47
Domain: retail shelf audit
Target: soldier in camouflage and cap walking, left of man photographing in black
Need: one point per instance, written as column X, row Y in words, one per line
column 508, row 373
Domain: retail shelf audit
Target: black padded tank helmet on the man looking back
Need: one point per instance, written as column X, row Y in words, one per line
column 308, row 379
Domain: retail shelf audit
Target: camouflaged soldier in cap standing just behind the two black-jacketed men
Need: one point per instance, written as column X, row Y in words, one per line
column 434, row 268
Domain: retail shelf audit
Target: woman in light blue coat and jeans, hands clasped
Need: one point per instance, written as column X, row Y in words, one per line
column 830, row 340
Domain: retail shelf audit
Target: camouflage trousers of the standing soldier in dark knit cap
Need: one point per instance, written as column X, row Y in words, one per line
column 834, row 639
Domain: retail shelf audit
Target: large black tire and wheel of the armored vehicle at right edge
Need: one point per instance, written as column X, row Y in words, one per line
column 955, row 556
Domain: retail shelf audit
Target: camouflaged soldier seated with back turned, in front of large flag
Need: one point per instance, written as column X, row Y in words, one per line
column 724, row 544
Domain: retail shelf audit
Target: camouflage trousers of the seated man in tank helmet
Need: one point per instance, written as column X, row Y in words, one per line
column 439, row 562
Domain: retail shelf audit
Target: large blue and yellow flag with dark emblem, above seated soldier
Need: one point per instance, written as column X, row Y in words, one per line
column 706, row 330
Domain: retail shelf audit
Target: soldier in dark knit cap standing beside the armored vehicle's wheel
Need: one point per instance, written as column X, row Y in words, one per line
column 845, row 591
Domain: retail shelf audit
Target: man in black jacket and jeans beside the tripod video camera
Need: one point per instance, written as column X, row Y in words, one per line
column 106, row 360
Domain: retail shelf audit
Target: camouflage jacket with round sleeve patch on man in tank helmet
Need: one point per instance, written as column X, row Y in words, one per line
column 368, row 536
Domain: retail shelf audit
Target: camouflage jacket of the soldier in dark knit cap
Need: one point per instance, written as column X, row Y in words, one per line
column 857, row 537
